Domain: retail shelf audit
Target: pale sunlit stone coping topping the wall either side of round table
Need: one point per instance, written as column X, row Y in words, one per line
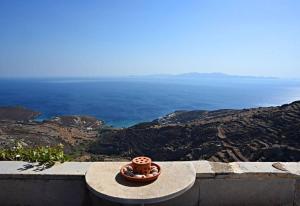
column 204, row 169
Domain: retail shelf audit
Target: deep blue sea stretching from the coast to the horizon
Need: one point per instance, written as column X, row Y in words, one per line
column 122, row 102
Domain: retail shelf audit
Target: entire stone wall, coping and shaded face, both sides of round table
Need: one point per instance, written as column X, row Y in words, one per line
column 239, row 183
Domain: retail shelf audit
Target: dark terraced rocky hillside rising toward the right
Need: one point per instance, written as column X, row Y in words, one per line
column 259, row 134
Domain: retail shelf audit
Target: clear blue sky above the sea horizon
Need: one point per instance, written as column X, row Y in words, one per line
column 60, row 38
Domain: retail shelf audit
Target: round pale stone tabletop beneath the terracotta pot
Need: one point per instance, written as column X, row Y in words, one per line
column 104, row 180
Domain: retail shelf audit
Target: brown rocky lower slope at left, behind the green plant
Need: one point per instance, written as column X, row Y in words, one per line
column 74, row 132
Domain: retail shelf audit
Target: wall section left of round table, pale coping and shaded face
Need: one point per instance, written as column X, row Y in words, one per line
column 24, row 184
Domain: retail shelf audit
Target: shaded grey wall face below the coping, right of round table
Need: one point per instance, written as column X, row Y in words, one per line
column 254, row 191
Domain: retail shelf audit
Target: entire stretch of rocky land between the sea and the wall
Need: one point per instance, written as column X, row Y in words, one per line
column 257, row 134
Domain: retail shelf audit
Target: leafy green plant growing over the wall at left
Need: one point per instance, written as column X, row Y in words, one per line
column 44, row 155
